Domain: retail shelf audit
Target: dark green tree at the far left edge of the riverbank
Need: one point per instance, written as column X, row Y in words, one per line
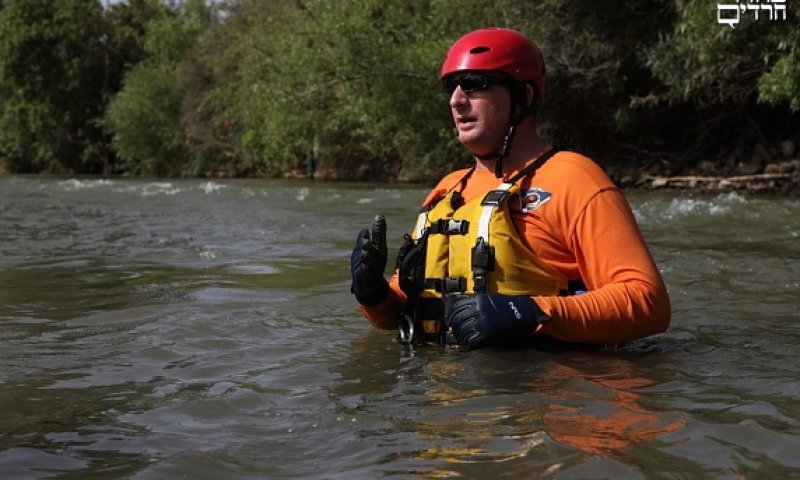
column 52, row 79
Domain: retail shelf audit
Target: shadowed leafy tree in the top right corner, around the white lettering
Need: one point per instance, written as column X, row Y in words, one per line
column 727, row 88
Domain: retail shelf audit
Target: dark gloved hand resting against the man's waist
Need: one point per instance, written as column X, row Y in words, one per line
column 493, row 319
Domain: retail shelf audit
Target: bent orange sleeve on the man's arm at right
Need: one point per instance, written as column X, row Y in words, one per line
column 626, row 296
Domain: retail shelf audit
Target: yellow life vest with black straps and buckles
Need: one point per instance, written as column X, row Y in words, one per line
column 466, row 249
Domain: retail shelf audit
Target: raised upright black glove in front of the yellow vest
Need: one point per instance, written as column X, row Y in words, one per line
column 368, row 263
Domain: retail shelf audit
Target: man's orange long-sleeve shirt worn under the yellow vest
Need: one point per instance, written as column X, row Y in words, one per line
column 575, row 219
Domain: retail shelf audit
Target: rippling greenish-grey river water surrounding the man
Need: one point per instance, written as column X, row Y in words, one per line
column 205, row 330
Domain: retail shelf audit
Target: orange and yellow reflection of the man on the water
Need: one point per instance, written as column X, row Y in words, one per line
column 523, row 409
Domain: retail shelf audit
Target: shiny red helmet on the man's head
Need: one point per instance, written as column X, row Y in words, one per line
column 497, row 49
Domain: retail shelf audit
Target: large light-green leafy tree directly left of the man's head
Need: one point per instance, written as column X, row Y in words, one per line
column 353, row 83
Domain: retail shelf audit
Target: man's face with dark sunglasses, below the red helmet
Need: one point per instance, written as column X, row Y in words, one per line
column 481, row 117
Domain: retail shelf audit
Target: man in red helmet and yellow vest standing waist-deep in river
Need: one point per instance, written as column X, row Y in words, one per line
column 532, row 244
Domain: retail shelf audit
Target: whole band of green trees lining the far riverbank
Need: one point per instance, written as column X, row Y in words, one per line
column 272, row 87
